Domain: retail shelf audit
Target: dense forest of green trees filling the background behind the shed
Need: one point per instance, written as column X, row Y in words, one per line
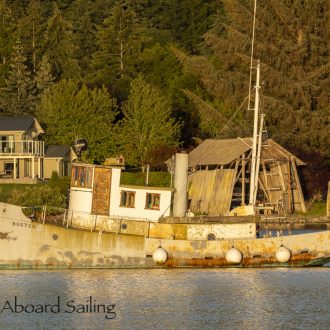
column 145, row 77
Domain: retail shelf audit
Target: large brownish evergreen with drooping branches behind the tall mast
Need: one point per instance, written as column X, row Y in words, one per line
column 294, row 78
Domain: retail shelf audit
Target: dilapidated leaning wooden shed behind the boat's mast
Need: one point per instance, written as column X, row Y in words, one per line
column 220, row 171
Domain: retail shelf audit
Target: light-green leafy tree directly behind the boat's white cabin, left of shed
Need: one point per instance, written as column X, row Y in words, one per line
column 147, row 124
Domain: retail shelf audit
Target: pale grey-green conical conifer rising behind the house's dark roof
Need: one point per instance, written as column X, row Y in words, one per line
column 18, row 95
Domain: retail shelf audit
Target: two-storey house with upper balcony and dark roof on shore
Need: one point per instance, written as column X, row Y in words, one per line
column 24, row 158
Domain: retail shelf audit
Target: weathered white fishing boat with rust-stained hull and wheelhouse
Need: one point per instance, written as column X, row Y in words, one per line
column 109, row 225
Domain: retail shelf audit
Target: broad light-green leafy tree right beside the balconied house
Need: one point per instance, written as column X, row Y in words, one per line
column 70, row 110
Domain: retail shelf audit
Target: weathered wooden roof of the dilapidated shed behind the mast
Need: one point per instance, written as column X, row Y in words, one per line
column 221, row 152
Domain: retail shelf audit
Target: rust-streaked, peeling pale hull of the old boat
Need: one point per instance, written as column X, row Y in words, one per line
column 25, row 244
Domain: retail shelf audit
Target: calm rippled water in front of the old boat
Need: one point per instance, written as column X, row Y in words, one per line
column 172, row 299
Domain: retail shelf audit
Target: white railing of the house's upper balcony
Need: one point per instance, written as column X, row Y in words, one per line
column 22, row 147
